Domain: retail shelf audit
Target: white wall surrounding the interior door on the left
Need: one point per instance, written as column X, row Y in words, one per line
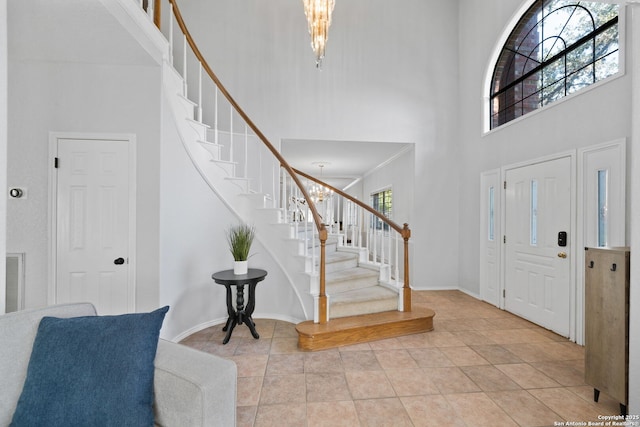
column 74, row 97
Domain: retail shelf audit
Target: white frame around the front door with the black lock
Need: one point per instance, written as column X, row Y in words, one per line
column 573, row 241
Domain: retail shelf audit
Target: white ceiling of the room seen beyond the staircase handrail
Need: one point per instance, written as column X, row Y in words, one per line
column 345, row 161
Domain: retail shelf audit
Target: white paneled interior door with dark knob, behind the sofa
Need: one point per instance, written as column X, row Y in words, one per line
column 92, row 224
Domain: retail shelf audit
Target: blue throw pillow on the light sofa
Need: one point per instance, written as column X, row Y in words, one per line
column 91, row 371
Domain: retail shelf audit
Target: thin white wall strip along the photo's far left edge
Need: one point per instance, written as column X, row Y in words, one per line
column 3, row 151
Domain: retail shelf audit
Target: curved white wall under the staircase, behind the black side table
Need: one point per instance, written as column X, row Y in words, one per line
column 193, row 246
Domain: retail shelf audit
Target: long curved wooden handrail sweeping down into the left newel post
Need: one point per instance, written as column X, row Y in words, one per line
column 322, row 231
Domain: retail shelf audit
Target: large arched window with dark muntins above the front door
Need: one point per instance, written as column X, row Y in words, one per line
column 557, row 48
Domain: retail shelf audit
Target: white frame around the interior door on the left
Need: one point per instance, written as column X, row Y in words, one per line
column 54, row 137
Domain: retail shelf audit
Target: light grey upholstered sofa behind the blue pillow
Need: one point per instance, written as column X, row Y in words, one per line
column 191, row 388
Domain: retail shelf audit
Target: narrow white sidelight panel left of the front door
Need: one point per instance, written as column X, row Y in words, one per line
column 490, row 235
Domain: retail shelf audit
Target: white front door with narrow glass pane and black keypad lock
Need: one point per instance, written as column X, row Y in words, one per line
column 537, row 261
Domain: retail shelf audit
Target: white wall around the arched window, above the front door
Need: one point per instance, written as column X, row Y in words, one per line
column 591, row 117
